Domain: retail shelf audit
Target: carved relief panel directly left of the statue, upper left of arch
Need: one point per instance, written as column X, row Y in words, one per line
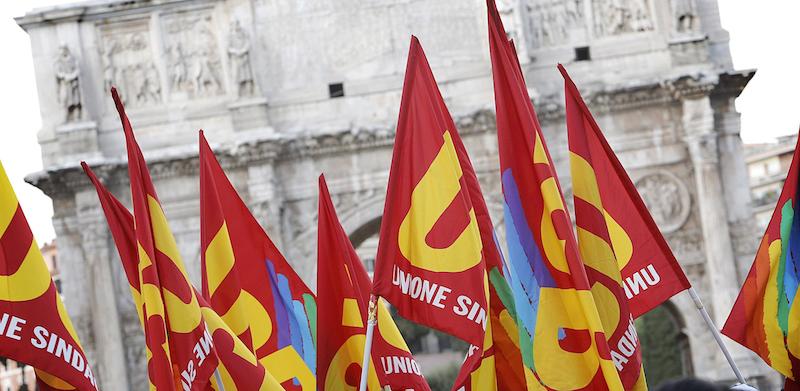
column 194, row 64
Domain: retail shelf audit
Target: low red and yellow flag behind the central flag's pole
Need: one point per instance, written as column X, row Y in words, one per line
column 343, row 291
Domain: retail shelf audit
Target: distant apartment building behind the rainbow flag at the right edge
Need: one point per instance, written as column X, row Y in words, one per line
column 767, row 165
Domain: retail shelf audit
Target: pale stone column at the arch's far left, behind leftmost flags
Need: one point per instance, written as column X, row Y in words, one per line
column 109, row 350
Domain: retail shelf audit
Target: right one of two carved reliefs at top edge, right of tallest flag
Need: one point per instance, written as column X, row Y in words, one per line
column 613, row 17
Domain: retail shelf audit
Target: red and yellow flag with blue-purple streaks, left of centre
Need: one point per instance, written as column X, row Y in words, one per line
column 249, row 282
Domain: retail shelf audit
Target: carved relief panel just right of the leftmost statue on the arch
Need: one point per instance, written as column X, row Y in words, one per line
column 128, row 64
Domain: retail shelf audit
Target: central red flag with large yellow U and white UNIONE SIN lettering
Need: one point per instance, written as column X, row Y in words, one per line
column 430, row 263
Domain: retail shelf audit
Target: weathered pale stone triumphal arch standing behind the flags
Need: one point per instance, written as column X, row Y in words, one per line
column 289, row 89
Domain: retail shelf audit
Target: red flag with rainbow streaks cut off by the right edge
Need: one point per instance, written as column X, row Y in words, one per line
column 766, row 315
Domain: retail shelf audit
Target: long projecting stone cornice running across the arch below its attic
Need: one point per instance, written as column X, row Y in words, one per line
column 281, row 148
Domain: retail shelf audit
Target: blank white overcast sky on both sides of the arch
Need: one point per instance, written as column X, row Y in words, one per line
column 763, row 36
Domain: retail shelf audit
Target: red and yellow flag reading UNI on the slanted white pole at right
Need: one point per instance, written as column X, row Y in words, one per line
column 605, row 226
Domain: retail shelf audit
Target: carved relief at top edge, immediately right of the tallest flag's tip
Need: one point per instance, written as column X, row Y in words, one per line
column 549, row 21
